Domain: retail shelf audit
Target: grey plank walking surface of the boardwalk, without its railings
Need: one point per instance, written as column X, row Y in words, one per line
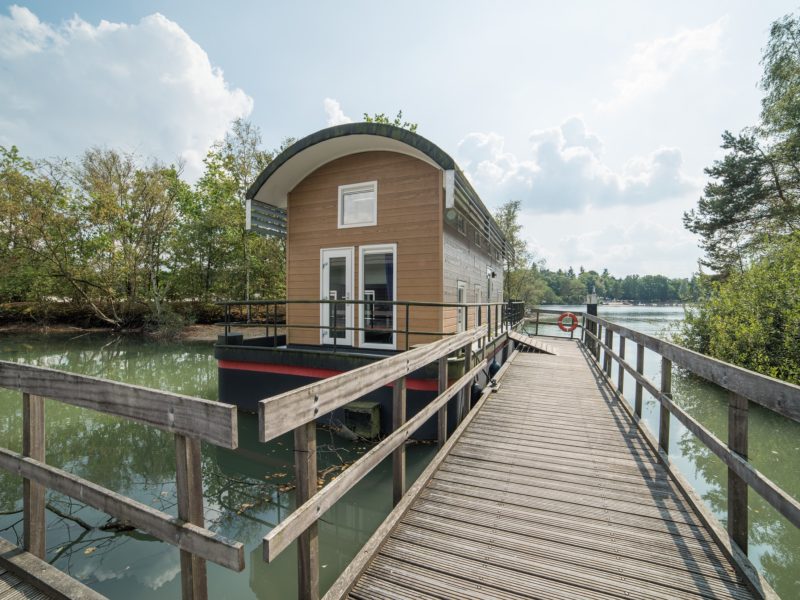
column 550, row 492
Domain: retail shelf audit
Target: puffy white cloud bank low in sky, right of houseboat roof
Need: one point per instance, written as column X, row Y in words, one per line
column 565, row 172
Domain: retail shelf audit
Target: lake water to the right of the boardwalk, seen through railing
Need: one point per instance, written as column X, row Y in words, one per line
column 774, row 446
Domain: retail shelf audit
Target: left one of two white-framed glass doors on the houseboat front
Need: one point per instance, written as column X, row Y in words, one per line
column 336, row 284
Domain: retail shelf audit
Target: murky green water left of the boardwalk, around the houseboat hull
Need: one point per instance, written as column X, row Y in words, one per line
column 242, row 489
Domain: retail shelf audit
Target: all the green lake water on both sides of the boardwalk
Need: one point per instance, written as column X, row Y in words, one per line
column 247, row 491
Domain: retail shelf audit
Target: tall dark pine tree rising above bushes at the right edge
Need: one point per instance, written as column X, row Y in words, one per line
column 752, row 196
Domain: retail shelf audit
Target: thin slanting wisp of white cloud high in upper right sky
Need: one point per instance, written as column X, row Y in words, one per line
column 654, row 63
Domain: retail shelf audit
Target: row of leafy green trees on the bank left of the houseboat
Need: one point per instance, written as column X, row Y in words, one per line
column 129, row 239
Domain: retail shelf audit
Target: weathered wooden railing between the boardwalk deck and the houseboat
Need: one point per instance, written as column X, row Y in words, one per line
column 298, row 410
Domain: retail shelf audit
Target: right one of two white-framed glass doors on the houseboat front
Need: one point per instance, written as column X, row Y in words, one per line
column 378, row 283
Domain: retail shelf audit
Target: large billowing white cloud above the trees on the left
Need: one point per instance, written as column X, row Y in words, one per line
column 146, row 87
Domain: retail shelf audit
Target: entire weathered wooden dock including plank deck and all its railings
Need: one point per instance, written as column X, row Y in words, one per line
column 549, row 487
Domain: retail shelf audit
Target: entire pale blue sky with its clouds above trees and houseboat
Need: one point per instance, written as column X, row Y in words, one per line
column 598, row 117
